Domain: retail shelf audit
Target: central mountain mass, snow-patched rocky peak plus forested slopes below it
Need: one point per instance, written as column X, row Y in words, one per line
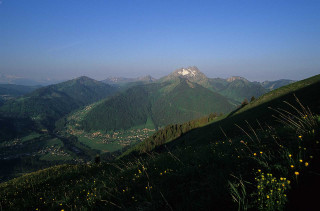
column 183, row 95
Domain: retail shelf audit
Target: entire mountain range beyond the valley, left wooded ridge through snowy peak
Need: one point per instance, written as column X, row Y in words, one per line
column 183, row 95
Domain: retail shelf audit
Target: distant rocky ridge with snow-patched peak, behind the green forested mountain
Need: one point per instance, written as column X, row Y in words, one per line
column 235, row 88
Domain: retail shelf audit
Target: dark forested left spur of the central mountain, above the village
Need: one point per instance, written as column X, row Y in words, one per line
column 122, row 111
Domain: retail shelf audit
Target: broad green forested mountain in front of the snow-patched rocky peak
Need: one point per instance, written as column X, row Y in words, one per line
column 163, row 103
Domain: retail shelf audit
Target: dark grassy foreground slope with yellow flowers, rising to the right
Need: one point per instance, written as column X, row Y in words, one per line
column 272, row 167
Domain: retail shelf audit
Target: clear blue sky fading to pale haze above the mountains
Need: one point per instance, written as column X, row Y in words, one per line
column 63, row 39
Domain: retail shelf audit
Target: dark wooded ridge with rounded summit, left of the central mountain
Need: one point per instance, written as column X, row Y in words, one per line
column 48, row 104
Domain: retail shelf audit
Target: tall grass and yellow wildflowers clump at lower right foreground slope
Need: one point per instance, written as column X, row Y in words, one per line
column 278, row 156
